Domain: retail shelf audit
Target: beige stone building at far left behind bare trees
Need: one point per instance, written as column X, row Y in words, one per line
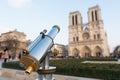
column 14, row 41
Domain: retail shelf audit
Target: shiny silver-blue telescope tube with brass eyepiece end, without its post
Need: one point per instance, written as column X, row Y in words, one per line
column 37, row 50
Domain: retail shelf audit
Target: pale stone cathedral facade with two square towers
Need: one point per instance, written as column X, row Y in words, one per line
column 87, row 39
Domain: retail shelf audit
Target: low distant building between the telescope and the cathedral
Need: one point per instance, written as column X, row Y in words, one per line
column 62, row 50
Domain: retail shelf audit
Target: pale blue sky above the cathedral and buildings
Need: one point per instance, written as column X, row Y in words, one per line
column 32, row 16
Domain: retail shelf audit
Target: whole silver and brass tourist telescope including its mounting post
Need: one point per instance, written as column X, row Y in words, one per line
column 36, row 56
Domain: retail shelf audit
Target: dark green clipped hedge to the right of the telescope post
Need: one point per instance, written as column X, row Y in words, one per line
column 74, row 67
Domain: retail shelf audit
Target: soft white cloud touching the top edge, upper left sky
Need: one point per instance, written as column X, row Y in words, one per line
column 19, row 3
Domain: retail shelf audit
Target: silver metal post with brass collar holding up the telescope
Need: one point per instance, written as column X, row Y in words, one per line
column 46, row 72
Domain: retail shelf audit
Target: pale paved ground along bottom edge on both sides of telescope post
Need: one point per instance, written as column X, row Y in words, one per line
column 11, row 74
